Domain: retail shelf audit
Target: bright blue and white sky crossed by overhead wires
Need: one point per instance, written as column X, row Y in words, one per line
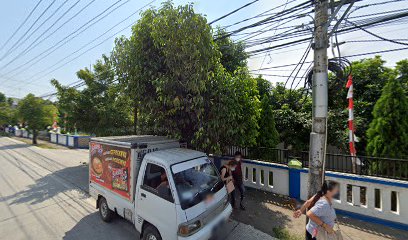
column 28, row 69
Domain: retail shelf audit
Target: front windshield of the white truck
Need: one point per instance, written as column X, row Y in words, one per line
column 195, row 181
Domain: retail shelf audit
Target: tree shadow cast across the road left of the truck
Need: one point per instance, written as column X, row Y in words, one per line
column 48, row 186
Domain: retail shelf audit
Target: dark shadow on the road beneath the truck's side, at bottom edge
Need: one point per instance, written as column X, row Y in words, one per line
column 92, row 227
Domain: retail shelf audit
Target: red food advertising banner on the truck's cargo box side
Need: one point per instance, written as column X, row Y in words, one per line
column 110, row 168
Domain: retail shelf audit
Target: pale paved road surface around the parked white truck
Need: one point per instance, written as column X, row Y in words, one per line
column 43, row 195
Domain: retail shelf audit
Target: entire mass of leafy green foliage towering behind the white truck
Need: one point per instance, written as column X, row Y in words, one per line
column 173, row 71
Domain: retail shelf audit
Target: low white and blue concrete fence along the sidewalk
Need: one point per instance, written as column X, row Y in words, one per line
column 373, row 199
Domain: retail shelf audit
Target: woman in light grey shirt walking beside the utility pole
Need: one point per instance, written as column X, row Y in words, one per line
column 322, row 215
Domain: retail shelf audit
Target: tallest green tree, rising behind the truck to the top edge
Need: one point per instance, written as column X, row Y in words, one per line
column 165, row 67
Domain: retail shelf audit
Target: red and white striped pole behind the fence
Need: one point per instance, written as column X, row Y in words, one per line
column 353, row 151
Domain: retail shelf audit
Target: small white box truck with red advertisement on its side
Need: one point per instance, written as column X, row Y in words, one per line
column 166, row 191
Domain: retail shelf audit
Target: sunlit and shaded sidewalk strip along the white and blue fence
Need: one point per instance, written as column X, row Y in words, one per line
column 272, row 214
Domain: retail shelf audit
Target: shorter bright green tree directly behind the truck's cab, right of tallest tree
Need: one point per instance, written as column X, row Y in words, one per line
column 231, row 112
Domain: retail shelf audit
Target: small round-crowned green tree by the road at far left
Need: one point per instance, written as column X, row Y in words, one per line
column 36, row 113
